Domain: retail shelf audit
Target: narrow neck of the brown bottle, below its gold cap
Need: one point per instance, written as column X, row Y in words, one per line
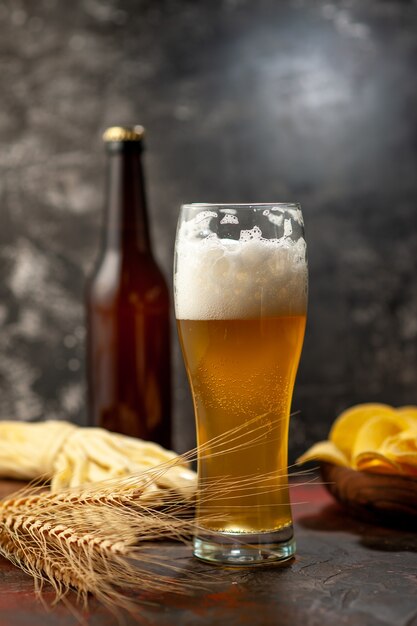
column 127, row 221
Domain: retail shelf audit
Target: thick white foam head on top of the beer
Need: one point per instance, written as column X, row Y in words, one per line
column 229, row 279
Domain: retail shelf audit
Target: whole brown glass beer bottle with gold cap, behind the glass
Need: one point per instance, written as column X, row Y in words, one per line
column 128, row 307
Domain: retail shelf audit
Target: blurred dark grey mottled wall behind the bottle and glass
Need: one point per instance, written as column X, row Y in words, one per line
column 243, row 101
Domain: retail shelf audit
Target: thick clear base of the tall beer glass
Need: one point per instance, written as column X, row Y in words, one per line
column 243, row 549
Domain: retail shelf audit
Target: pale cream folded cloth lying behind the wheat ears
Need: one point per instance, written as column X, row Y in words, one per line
column 70, row 456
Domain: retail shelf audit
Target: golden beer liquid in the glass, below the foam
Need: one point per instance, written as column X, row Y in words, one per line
column 239, row 370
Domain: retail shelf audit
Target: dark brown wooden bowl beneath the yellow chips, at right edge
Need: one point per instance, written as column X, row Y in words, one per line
column 379, row 498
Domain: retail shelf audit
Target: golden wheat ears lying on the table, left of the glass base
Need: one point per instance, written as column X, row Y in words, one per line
column 92, row 549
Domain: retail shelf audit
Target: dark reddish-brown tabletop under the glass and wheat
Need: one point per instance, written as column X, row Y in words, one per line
column 346, row 573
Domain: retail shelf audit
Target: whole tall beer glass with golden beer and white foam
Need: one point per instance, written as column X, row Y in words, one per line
column 240, row 280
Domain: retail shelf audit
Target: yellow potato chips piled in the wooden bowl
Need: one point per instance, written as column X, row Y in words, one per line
column 371, row 437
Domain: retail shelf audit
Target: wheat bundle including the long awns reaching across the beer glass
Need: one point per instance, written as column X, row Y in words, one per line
column 94, row 538
